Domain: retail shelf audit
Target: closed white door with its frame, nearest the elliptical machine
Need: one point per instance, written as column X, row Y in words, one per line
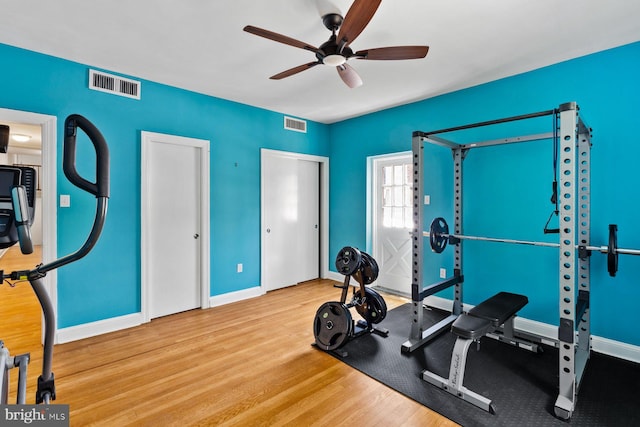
column 172, row 220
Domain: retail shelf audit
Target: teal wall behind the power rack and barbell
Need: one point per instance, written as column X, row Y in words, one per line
column 507, row 188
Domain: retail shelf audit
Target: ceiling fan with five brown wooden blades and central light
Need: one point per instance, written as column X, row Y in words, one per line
column 336, row 51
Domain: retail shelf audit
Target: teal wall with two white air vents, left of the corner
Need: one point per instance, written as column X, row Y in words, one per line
column 107, row 282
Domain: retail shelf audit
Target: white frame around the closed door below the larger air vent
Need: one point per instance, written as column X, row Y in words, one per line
column 147, row 138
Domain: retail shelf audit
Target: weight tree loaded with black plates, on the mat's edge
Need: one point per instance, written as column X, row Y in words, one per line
column 333, row 325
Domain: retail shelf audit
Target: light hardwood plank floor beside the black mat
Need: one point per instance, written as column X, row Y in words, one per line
column 246, row 364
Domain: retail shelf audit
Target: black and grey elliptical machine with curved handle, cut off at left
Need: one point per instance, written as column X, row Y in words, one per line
column 15, row 220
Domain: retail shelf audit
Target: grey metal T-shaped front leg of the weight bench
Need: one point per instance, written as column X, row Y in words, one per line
column 454, row 384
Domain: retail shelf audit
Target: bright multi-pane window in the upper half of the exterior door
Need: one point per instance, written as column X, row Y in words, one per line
column 397, row 190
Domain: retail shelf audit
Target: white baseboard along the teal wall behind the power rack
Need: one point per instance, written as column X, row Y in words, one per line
column 602, row 345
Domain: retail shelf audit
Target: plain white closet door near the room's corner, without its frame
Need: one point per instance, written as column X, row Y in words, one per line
column 290, row 220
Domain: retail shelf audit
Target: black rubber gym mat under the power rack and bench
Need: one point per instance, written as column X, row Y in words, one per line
column 522, row 385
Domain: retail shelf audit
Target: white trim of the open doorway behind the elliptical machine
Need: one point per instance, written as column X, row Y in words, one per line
column 49, row 190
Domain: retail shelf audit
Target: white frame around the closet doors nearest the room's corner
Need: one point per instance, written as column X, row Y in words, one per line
column 324, row 207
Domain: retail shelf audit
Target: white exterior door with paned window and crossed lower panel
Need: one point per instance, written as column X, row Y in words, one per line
column 392, row 222
